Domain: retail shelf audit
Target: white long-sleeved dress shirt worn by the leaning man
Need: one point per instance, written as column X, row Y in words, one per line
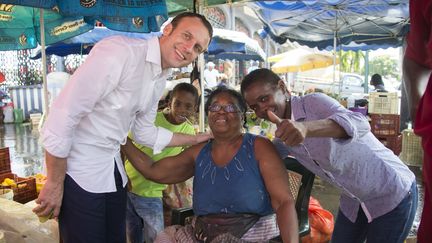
column 115, row 90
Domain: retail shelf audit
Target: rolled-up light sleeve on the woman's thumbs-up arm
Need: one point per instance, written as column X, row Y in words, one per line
column 355, row 124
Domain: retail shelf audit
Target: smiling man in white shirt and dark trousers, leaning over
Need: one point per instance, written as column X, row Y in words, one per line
column 116, row 89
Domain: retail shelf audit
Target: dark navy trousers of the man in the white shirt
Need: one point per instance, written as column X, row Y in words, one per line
column 93, row 217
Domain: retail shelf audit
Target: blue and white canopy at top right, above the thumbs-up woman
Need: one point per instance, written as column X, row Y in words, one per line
column 324, row 23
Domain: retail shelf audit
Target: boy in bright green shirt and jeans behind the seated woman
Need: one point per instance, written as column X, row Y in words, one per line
column 144, row 216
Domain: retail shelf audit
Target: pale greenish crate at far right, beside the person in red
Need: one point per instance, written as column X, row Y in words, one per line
column 412, row 151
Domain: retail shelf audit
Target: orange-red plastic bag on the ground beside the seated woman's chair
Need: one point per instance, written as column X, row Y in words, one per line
column 321, row 222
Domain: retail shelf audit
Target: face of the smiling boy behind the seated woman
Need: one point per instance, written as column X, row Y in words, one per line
column 182, row 106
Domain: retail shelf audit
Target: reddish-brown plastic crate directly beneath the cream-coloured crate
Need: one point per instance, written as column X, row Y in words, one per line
column 383, row 125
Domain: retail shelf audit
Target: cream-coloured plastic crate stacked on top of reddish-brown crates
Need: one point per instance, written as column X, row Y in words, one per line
column 383, row 103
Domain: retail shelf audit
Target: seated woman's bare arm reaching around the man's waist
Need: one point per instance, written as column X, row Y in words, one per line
column 169, row 170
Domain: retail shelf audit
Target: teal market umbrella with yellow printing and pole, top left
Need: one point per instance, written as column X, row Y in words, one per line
column 135, row 16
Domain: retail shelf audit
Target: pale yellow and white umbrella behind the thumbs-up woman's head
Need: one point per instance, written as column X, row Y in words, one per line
column 299, row 60
